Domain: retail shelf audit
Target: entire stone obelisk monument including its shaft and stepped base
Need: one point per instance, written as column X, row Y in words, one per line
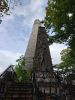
column 38, row 56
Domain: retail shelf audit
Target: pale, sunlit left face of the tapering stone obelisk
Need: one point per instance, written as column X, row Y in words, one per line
column 30, row 52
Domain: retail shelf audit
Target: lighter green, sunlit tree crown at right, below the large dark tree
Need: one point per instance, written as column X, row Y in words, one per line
column 67, row 61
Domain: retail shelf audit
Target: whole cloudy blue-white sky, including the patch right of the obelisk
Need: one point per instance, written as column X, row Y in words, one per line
column 15, row 32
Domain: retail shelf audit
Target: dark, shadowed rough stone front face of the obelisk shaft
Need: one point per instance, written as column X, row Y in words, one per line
column 42, row 58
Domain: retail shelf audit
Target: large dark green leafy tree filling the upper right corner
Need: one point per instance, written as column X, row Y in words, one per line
column 60, row 17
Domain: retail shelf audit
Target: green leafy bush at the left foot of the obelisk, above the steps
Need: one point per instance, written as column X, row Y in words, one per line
column 23, row 75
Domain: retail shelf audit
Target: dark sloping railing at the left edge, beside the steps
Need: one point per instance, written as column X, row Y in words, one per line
column 6, row 78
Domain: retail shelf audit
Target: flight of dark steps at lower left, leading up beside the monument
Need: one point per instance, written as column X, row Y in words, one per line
column 19, row 91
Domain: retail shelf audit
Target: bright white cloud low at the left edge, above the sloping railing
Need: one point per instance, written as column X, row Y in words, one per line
column 7, row 58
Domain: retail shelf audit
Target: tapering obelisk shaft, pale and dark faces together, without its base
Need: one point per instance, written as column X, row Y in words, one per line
column 37, row 53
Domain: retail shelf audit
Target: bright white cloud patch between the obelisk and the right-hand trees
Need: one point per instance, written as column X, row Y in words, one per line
column 55, row 50
